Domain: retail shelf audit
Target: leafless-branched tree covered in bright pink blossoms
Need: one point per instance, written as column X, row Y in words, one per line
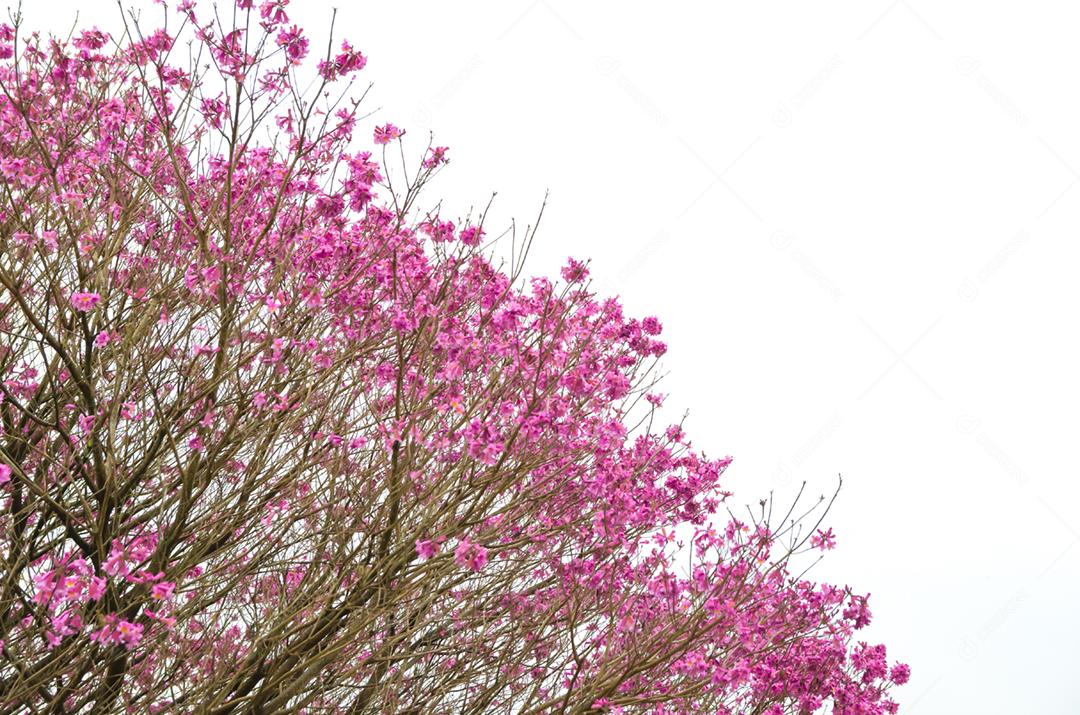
column 275, row 439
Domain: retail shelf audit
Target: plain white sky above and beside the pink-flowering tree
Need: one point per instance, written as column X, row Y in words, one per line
column 857, row 222
